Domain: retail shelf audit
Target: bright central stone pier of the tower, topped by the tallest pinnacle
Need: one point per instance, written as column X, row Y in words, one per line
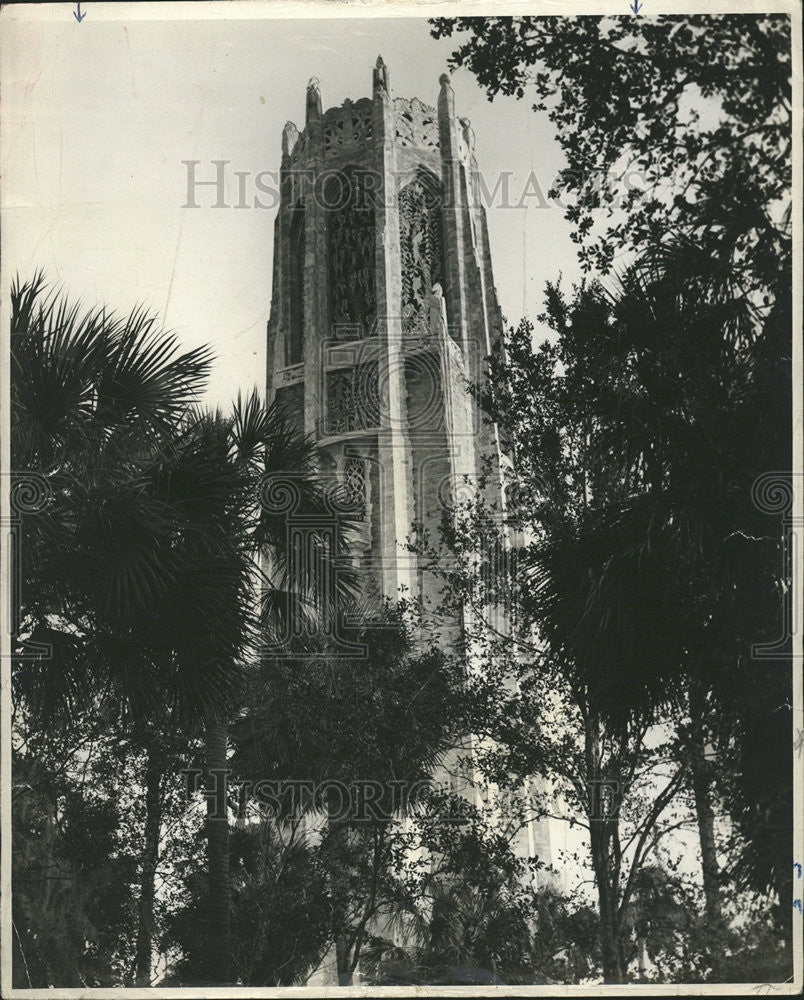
column 393, row 443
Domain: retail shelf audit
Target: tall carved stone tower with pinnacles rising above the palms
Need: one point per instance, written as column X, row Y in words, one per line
column 383, row 307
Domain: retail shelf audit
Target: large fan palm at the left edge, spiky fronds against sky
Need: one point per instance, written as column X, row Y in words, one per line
column 95, row 403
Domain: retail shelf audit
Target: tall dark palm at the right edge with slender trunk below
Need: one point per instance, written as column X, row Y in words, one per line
column 688, row 317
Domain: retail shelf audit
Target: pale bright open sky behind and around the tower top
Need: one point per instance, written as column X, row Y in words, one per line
column 98, row 117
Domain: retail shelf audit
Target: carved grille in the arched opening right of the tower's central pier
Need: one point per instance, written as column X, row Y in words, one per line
column 421, row 251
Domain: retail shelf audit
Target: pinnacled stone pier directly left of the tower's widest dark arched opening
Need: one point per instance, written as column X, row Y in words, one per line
column 316, row 262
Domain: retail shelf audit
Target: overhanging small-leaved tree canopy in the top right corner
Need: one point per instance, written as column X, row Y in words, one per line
column 680, row 122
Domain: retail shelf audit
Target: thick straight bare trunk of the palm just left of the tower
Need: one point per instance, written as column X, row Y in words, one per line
column 220, row 888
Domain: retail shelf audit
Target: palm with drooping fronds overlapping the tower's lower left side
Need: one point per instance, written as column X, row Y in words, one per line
column 262, row 579
